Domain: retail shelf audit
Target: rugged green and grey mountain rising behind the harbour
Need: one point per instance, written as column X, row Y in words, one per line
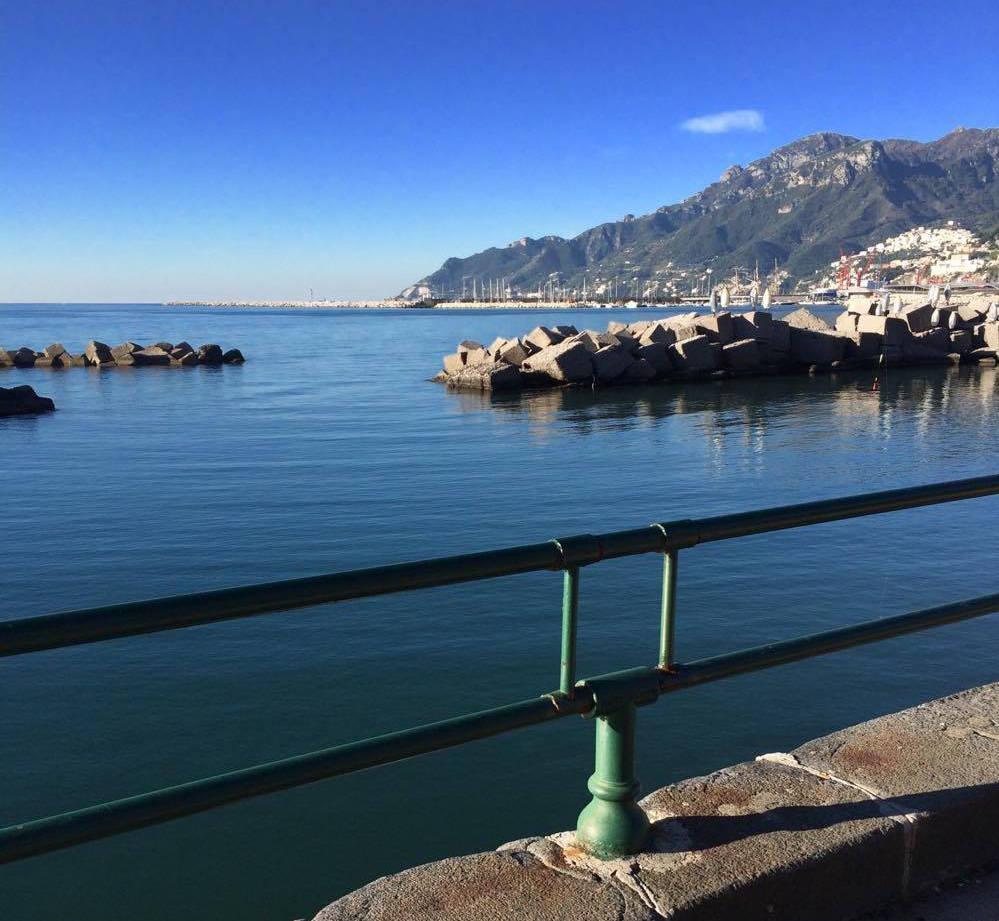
column 799, row 205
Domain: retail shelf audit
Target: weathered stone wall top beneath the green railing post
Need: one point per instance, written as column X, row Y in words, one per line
column 843, row 825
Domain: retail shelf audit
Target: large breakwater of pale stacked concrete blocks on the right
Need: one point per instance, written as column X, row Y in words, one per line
column 693, row 346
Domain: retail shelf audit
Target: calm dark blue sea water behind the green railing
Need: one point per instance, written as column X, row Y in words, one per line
column 328, row 450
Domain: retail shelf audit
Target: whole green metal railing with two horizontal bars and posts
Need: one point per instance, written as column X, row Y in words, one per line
column 612, row 824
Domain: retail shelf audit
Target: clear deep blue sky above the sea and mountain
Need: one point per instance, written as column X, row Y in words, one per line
column 208, row 149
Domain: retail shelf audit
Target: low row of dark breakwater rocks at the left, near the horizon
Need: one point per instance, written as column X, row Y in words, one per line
column 127, row 355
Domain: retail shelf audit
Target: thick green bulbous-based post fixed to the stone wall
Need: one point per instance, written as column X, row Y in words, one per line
column 613, row 824
